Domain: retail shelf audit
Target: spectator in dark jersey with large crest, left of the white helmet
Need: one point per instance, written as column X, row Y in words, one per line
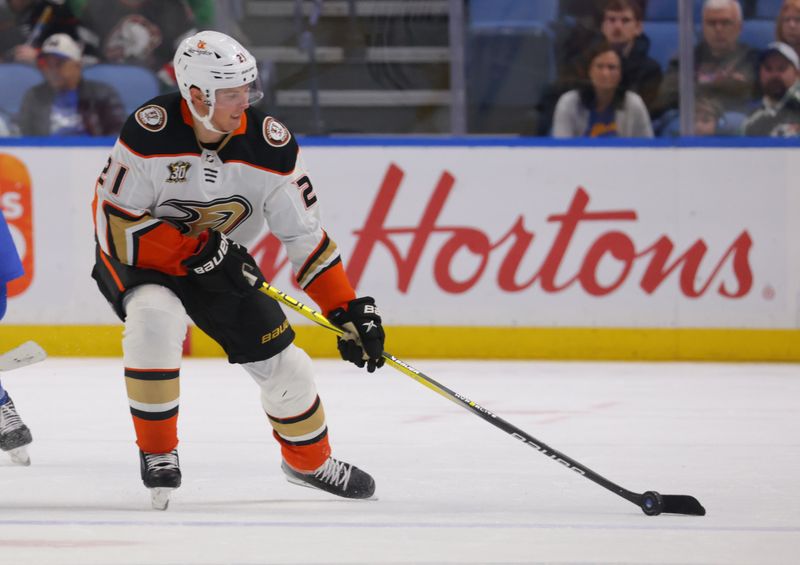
column 141, row 32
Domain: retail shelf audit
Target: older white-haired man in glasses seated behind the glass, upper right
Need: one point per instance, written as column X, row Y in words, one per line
column 724, row 68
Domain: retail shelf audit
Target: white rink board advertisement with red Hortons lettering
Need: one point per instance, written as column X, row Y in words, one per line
column 481, row 236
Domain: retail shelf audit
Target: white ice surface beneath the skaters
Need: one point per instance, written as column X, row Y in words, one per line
column 451, row 488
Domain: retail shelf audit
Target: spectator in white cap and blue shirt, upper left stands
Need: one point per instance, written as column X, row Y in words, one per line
column 66, row 104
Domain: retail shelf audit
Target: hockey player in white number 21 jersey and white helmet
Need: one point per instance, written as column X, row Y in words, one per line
column 194, row 178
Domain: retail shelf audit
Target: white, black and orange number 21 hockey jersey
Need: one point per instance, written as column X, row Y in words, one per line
column 160, row 189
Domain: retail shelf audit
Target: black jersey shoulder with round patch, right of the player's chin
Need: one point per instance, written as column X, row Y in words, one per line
column 266, row 143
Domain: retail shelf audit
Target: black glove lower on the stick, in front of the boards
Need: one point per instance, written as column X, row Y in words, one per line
column 362, row 341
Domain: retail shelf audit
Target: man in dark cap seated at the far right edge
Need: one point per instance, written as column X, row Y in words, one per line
column 778, row 74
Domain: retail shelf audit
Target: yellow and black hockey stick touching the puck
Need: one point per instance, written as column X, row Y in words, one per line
column 651, row 502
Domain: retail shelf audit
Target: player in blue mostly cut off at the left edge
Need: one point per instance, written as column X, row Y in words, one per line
column 14, row 434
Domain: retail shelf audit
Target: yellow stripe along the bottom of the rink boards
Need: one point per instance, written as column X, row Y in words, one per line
column 421, row 342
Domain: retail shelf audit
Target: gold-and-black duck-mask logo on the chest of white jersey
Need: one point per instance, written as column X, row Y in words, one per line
column 193, row 218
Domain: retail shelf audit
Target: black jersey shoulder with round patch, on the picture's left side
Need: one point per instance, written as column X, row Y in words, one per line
column 157, row 128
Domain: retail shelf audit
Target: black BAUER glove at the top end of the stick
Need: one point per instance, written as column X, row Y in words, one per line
column 222, row 265
